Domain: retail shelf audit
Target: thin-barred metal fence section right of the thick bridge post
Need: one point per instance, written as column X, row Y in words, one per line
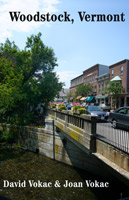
column 118, row 137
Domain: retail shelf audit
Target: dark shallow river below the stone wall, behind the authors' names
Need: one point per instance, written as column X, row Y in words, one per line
column 29, row 176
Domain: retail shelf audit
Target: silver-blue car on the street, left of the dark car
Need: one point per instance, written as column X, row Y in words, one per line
column 98, row 112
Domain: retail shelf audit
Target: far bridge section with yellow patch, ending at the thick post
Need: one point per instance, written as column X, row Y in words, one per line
column 80, row 128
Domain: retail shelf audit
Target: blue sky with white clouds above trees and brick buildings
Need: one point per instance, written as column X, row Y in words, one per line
column 78, row 45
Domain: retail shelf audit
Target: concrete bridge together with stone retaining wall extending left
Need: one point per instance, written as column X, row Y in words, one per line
column 80, row 141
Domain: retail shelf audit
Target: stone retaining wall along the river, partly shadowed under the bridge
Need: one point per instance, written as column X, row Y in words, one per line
column 55, row 144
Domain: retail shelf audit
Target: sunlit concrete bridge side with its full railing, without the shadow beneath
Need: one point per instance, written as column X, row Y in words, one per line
column 100, row 139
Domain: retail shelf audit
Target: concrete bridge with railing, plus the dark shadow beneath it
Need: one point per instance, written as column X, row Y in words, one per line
column 104, row 148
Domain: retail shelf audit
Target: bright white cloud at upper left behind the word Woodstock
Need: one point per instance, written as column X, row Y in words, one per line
column 25, row 7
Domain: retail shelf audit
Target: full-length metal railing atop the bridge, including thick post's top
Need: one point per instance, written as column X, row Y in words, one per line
column 118, row 138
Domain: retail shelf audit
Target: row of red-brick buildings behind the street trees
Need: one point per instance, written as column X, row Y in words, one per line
column 99, row 75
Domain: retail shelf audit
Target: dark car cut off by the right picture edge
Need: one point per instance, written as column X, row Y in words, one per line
column 120, row 117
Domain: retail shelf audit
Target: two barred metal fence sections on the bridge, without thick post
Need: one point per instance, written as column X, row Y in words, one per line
column 118, row 137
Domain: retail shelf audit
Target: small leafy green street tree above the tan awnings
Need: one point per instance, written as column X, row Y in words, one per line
column 83, row 90
